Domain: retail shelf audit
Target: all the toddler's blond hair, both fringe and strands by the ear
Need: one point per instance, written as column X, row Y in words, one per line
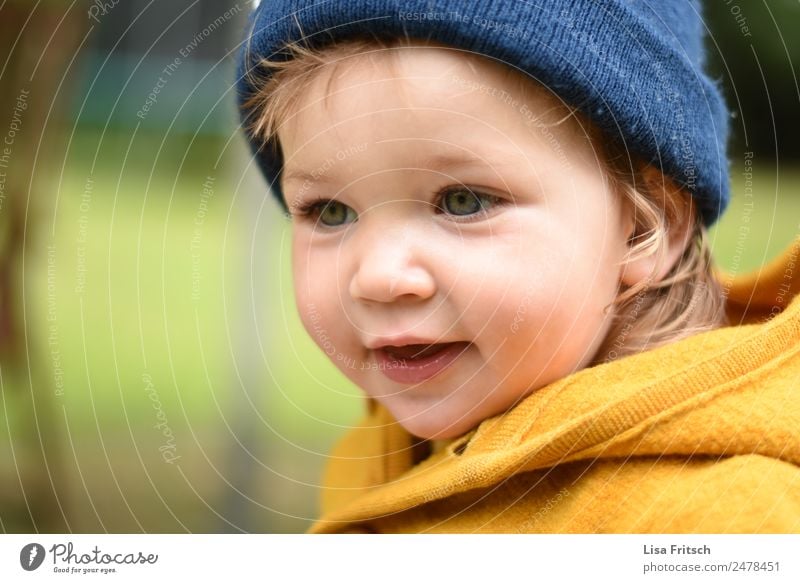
column 688, row 300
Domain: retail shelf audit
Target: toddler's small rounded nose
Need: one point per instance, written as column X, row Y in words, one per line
column 390, row 264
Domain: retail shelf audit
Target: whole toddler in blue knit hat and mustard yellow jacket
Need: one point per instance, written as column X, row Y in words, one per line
column 499, row 216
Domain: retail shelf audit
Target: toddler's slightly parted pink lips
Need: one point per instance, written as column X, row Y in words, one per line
column 414, row 363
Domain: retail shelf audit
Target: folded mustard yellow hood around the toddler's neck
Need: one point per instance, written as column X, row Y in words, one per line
column 730, row 391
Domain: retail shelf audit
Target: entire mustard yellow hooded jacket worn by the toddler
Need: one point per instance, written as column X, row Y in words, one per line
column 699, row 436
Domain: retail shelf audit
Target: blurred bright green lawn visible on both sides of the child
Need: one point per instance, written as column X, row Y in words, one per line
column 252, row 418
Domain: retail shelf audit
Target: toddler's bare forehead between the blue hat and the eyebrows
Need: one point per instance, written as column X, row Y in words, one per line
column 428, row 87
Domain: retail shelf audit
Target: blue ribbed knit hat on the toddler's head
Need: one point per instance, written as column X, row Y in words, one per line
column 634, row 68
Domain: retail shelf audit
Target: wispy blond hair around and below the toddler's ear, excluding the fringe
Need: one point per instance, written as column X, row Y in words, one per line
column 688, row 300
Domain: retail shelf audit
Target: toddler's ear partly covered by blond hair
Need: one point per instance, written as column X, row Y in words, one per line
column 679, row 225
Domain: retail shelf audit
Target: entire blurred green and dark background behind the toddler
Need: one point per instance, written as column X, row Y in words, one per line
column 158, row 379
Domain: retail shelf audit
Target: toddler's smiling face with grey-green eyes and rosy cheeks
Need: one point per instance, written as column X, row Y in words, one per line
column 456, row 220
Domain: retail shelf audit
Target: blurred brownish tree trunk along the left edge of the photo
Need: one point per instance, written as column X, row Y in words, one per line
column 38, row 41
